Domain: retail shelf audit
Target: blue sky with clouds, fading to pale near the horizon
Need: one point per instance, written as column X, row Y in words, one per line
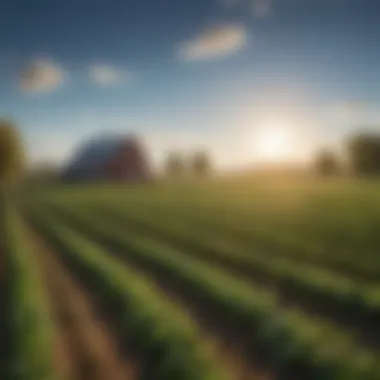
column 188, row 73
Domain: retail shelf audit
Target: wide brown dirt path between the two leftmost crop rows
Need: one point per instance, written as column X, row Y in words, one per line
column 86, row 348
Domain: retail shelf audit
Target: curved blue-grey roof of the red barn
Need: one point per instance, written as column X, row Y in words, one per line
column 97, row 151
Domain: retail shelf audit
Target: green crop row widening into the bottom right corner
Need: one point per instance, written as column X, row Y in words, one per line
column 291, row 342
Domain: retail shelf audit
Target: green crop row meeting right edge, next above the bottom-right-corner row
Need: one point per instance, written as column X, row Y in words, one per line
column 336, row 293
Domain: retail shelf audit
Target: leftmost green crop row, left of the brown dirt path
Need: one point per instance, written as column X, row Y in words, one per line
column 27, row 321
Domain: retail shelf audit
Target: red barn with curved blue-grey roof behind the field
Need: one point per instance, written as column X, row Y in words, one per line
column 120, row 159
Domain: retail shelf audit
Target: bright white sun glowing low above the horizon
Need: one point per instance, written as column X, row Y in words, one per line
column 273, row 144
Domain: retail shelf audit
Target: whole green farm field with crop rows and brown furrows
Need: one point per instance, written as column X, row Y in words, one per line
column 223, row 280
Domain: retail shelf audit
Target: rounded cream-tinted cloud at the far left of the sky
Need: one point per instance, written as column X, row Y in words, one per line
column 41, row 75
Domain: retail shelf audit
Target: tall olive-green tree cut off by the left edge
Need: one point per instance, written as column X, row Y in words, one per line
column 11, row 154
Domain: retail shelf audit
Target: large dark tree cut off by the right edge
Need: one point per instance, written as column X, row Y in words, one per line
column 364, row 154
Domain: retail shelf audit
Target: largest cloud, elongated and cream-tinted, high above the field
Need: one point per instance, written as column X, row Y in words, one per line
column 214, row 42
